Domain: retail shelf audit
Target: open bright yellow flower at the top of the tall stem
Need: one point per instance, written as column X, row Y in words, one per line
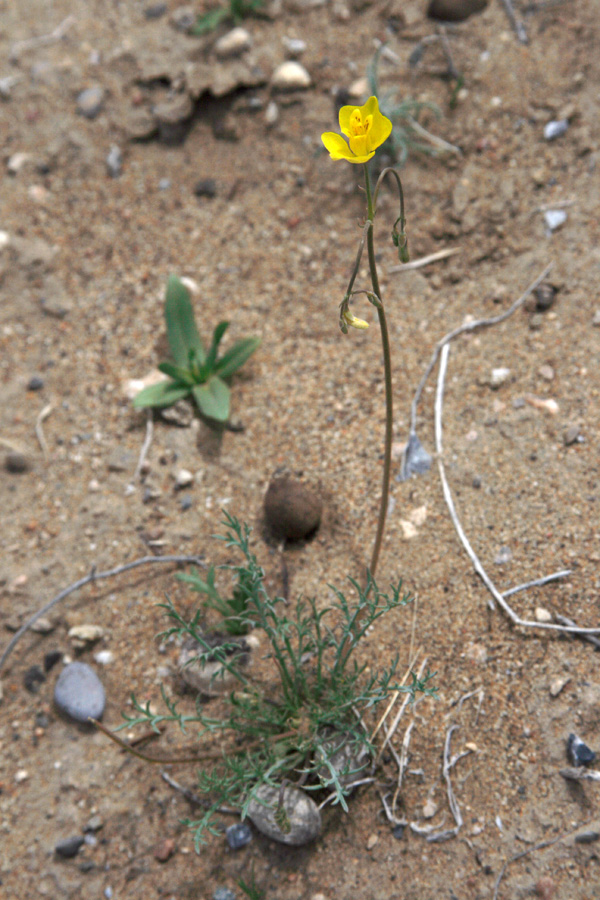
column 366, row 129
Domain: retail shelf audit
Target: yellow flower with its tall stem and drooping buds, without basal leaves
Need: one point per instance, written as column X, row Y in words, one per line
column 365, row 129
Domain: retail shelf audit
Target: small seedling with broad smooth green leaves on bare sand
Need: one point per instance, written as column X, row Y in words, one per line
column 194, row 371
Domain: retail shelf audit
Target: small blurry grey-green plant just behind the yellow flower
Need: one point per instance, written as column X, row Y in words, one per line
column 408, row 134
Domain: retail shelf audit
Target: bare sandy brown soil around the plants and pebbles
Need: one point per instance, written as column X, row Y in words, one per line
column 82, row 287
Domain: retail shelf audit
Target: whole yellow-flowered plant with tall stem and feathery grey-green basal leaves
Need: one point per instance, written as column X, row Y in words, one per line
column 296, row 727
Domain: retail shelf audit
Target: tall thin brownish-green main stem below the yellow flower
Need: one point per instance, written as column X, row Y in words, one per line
column 387, row 366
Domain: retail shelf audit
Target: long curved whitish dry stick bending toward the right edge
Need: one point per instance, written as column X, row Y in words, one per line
column 524, row 623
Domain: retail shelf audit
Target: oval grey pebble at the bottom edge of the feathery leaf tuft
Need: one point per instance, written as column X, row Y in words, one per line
column 302, row 813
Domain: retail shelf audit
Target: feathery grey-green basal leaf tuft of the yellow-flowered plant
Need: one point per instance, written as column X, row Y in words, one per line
column 269, row 735
